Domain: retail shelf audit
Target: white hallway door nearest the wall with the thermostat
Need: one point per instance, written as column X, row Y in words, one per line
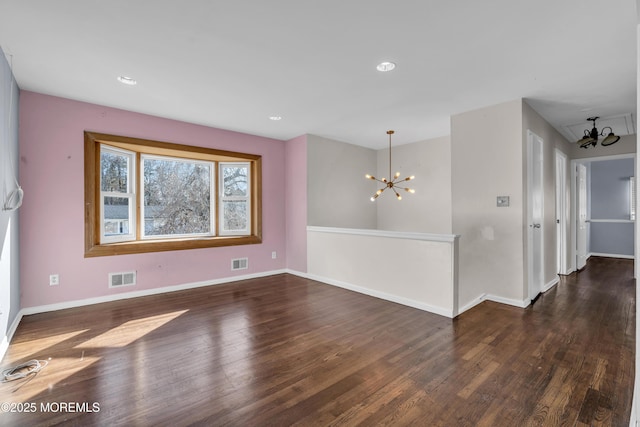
column 535, row 215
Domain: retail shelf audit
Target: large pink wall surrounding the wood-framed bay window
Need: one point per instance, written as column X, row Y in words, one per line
column 52, row 218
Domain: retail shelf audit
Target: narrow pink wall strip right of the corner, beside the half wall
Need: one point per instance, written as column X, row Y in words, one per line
column 296, row 203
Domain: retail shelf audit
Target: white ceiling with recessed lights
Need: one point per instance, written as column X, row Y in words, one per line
column 232, row 64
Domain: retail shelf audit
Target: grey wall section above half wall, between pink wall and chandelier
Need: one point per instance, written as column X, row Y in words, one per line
column 337, row 191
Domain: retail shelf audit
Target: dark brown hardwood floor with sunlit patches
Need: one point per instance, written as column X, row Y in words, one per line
column 284, row 351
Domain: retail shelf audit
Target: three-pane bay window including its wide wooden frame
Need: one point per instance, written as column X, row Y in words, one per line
column 147, row 196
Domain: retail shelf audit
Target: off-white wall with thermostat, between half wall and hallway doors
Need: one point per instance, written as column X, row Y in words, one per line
column 487, row 161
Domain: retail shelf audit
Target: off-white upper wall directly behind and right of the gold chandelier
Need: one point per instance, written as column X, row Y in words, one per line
column 429, row 209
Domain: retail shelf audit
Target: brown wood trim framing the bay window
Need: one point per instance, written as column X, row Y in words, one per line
column 93, row 248
